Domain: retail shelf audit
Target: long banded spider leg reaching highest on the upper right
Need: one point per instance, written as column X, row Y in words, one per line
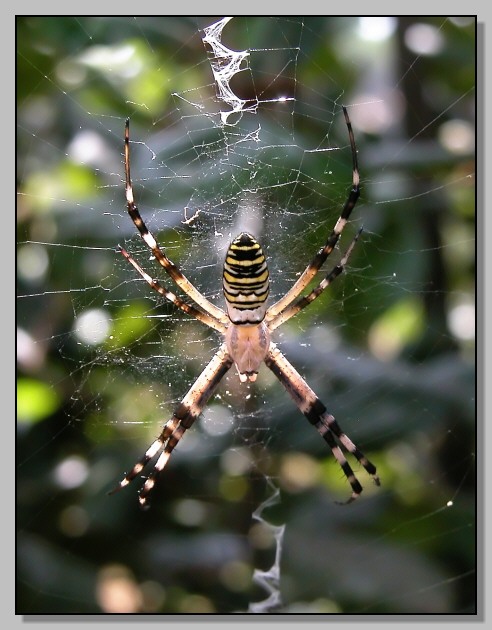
column 316, row 263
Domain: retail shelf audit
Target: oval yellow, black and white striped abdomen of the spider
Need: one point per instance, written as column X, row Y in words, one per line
column 245, row 280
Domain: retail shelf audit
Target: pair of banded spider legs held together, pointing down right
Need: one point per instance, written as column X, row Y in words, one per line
column 315, row 411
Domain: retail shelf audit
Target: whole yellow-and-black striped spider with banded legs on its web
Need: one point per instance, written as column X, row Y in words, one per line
column 246, row 326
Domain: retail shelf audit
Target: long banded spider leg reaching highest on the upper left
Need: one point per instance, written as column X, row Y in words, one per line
column 173, row 271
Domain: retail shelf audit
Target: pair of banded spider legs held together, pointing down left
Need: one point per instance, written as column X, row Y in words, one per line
column 182, row 419
